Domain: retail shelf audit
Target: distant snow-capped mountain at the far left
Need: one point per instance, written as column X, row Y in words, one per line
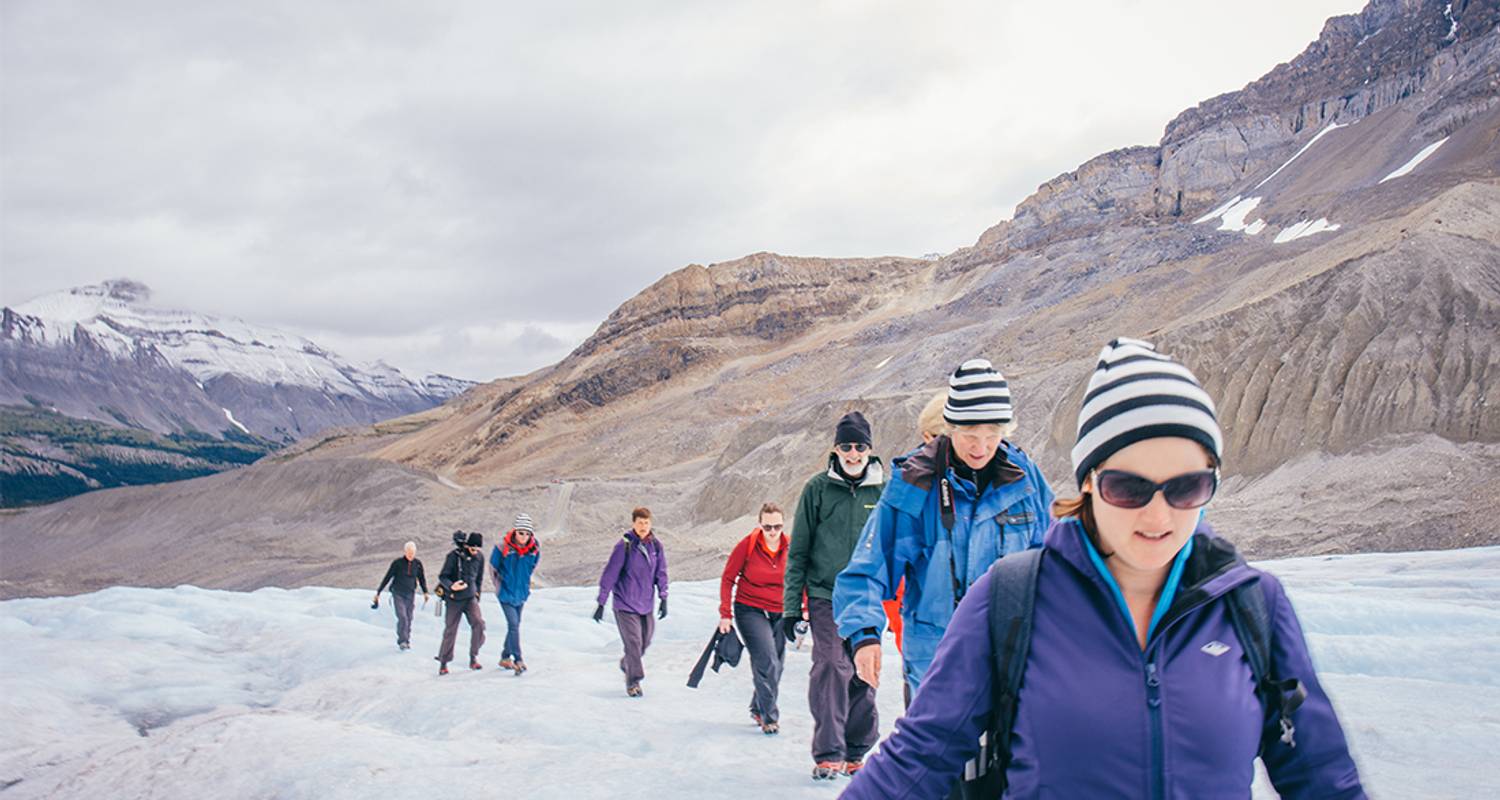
column 86, row 352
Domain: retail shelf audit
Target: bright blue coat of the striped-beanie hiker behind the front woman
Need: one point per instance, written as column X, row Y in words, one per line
column 905, row 537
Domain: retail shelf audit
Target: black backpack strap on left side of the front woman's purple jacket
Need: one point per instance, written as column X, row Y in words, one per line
column 1013, row 604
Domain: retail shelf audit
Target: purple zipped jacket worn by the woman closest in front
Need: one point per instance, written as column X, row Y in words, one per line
column 1090, row 723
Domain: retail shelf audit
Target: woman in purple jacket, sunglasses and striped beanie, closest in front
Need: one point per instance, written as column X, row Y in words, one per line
column 1136, row 684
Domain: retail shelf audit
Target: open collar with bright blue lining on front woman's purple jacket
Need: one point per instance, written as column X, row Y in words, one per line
column 1207, row 568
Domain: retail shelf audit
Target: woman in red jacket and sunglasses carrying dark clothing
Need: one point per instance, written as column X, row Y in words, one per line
column 751, row 600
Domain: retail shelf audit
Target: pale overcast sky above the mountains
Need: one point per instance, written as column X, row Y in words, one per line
column 472, row 188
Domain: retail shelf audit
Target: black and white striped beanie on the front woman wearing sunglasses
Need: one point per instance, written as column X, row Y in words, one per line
column 1138, row 394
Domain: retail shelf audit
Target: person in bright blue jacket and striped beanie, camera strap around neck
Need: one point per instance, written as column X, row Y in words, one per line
column 952, row 510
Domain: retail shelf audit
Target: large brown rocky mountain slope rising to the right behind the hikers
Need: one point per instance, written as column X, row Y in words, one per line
column 1343, row 311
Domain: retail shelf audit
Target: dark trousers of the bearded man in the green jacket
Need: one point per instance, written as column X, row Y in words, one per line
column 845, row 720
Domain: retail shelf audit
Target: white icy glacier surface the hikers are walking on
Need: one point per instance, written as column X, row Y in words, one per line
column 302, row 694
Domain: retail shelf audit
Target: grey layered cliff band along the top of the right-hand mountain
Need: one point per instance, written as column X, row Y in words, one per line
column 1361, row 65
